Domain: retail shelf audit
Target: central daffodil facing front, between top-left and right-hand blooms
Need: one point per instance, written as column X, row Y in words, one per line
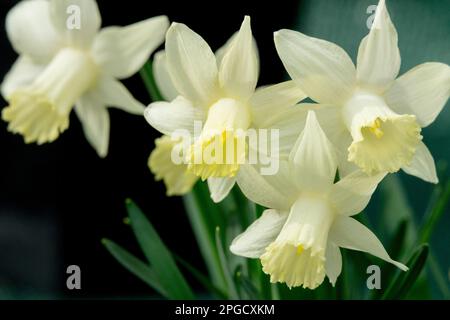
column 218, row 91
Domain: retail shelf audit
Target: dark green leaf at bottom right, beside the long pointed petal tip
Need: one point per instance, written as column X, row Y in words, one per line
column 402, row 284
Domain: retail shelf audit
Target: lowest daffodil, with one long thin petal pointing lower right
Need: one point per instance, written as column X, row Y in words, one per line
column 298, row 238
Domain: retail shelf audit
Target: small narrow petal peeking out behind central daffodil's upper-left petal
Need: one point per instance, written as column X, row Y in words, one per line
column 162, row 77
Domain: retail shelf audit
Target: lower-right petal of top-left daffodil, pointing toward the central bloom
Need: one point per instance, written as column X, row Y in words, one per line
column 113, row 93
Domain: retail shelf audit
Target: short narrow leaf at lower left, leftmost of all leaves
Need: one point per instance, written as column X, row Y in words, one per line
column 135, row 266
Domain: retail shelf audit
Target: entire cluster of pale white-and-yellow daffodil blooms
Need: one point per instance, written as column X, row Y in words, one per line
column 365, row 122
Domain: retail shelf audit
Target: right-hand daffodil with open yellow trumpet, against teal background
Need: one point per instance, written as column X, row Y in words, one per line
column 374, row 117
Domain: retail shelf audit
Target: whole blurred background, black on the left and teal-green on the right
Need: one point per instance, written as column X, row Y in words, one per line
column 59, row 200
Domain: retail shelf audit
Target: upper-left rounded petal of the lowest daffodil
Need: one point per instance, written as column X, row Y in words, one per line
column 272, row 191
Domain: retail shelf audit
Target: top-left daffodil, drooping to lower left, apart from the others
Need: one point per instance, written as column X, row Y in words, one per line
column 65, row 63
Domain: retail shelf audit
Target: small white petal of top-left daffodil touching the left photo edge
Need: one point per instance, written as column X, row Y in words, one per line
column 22, row 73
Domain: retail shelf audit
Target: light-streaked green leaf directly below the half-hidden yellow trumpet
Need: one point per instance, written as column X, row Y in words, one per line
column 204, row 216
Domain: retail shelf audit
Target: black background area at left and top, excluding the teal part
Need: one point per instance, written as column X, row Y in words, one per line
column 59, row 200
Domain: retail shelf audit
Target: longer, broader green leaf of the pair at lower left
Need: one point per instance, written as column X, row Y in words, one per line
column 158, row 255
